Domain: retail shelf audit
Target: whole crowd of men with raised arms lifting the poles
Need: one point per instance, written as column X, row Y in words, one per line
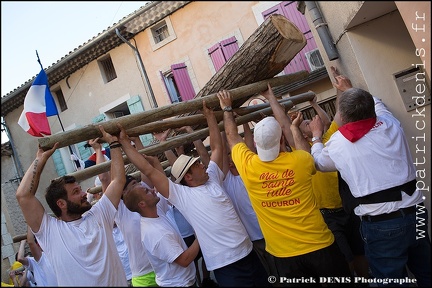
column 294, row 203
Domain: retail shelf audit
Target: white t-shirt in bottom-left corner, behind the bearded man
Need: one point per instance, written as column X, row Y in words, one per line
column 42, row 271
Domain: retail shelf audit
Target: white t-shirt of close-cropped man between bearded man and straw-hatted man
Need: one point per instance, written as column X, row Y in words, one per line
column 163, row 244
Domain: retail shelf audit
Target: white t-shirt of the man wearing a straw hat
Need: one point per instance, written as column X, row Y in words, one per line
column 222, row 236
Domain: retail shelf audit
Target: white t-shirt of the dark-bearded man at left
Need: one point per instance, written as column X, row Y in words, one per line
column 83, row 252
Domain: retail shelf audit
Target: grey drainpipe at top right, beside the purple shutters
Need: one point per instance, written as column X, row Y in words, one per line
column 322, row 29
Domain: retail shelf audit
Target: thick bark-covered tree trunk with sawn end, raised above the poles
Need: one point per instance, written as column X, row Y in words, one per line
column 263, row 55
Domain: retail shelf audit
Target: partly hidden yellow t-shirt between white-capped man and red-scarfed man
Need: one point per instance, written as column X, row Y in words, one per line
column 325, row 184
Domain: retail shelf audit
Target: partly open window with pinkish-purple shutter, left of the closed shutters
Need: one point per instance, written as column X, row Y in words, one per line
column 178, row 84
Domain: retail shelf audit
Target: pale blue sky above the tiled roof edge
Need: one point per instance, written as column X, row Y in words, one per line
column 53, row 29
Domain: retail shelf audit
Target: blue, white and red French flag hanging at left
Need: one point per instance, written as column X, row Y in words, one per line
column 38, row 105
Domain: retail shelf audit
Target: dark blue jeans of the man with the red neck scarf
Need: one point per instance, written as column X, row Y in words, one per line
column 392, row 245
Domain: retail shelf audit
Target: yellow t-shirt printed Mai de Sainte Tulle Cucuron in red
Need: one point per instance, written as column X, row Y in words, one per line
column 281, row 195
